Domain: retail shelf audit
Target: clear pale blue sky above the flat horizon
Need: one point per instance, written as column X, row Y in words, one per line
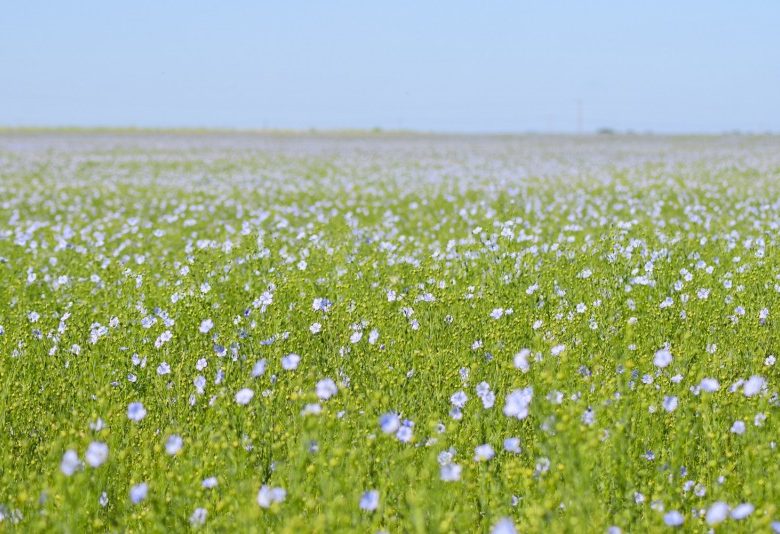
column 451, row 66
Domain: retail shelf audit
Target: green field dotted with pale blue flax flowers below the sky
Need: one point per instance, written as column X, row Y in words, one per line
column 400, row 333
